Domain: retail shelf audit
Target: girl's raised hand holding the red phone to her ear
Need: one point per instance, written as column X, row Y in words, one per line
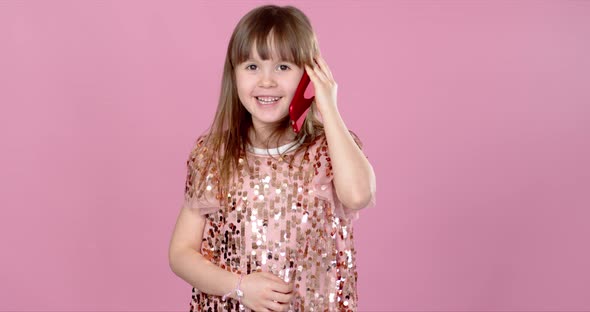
column 324, row 85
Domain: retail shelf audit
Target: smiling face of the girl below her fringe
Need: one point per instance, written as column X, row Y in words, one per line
column 260, row 83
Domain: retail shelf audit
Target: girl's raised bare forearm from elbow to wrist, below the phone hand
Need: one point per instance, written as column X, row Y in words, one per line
column 354, row 178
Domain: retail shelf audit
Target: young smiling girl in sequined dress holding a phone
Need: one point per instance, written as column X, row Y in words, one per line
column 266, row 223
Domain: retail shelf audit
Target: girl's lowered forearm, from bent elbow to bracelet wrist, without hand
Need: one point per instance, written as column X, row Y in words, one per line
column 199, row 272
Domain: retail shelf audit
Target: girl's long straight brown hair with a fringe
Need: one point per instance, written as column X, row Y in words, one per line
column 287, row 31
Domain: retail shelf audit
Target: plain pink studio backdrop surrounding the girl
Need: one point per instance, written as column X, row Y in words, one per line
column 474, row 114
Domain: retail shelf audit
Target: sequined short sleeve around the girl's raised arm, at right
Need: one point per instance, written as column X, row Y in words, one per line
column 323, row 183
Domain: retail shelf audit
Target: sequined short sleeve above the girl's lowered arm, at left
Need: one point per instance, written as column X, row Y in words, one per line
column 207, row 200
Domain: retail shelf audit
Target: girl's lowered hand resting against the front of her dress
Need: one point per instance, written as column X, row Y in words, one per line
column 264, row 291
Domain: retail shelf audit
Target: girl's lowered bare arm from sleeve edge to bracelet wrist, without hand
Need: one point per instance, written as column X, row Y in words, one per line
column 188, row 263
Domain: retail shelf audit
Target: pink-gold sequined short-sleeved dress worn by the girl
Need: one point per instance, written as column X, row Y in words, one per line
column 281, row 219
